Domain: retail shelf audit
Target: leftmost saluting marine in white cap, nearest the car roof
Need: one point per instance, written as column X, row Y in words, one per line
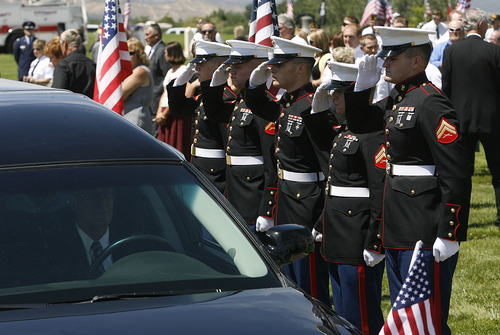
column 209, row 137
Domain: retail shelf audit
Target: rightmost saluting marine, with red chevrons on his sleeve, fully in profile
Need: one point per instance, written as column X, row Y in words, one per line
column 427, row 185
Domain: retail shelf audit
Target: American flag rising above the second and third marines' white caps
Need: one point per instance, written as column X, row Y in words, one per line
column 263, row 22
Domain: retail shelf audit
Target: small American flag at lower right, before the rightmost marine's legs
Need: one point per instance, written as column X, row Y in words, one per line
column 413, row 310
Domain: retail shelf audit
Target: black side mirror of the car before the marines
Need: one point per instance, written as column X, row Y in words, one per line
column 288, row 243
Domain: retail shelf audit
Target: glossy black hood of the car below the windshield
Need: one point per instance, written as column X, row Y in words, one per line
column 259, row 311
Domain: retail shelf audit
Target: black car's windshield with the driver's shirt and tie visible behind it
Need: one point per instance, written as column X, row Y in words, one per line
column 160, row 230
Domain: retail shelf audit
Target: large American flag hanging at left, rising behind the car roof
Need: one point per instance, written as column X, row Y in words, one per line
column 113, row 61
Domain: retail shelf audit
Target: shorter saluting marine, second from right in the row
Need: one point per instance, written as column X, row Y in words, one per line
column 351, row 217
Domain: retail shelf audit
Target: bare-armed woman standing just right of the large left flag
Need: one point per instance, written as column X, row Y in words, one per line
column 138, row 88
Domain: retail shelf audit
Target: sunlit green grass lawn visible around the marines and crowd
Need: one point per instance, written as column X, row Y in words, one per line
column 476, row 286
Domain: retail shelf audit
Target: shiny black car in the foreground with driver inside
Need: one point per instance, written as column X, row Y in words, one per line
column 175, row 257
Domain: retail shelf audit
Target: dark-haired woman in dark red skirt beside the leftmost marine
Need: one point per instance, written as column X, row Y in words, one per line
column 173, row 129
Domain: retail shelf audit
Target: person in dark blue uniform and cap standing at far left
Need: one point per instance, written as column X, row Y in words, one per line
column 23, row 50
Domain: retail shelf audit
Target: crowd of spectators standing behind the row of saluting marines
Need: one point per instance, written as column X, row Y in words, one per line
column 62, row 62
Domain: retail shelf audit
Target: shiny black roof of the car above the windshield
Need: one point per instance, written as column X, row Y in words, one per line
column 39, row 125
